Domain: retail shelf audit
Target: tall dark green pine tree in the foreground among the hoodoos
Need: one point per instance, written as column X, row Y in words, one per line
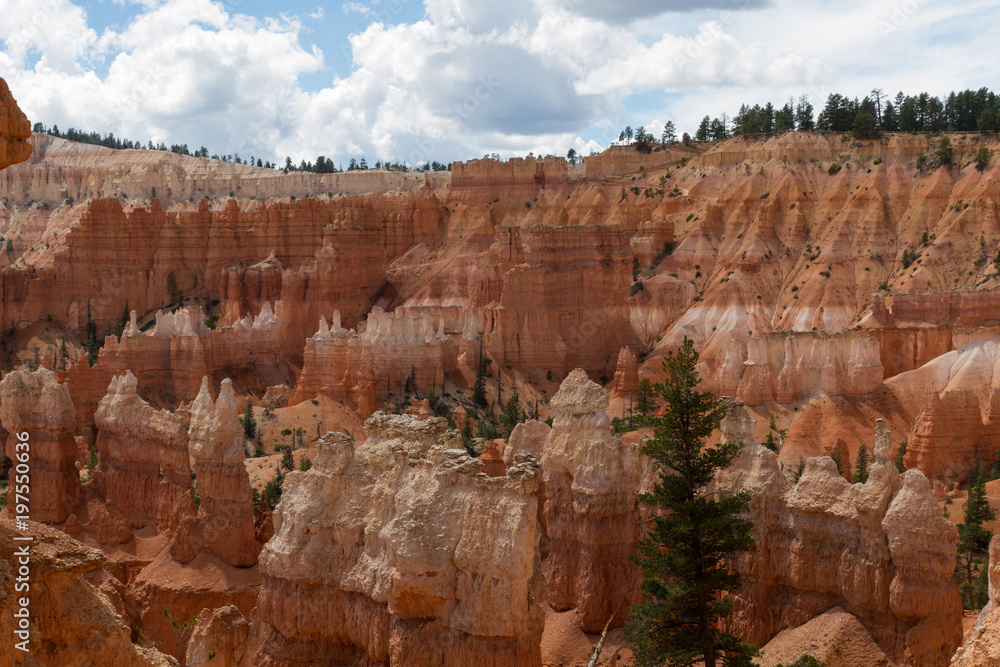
column 685, row 556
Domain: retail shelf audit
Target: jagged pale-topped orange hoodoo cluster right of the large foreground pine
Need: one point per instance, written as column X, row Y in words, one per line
column 882, row 551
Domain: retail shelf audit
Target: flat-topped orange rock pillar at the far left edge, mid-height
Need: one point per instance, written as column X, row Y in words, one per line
column 37, row 410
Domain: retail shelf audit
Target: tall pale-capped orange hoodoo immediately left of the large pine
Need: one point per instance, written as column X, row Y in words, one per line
column 591, row 508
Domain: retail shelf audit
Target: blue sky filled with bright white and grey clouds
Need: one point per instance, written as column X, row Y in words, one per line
column 412, row 81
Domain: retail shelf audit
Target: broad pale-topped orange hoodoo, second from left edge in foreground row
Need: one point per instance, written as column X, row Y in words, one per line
column 144, row 474
